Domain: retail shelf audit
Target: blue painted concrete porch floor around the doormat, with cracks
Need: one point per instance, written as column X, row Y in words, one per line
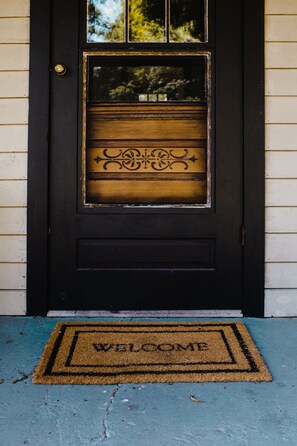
column 249, row 414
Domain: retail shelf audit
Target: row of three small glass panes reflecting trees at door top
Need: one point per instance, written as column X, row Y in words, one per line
column 106, row 20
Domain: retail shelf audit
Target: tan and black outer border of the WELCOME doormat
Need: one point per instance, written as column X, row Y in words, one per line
column 258, row 369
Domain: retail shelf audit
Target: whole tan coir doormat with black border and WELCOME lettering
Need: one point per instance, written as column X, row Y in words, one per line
column 128, row 352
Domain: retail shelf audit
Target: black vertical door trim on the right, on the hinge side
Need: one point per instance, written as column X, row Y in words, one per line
column 254, row 161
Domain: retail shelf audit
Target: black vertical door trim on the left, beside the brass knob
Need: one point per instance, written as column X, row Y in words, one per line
column 38, row 158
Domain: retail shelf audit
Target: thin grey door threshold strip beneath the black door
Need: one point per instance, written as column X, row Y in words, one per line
column 147, row 313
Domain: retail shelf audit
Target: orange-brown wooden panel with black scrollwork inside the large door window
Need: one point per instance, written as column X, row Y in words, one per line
column 150, row 153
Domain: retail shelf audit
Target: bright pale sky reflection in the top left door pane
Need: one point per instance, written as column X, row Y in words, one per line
column 109, row 12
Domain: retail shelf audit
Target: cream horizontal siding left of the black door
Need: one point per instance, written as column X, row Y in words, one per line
column 14, row 75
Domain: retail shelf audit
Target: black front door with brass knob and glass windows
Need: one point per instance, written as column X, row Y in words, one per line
column 146, row 155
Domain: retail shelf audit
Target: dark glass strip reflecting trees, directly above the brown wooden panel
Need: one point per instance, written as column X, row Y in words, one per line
column 154, row 80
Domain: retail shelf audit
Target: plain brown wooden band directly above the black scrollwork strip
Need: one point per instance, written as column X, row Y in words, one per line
column 138, row 122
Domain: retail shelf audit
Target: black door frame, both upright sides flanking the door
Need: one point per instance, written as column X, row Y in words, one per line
column 253, row 158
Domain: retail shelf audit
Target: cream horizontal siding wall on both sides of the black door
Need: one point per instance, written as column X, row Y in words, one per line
column 281, row 155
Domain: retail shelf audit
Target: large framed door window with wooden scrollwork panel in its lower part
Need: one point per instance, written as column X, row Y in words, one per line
column 146, row 127
